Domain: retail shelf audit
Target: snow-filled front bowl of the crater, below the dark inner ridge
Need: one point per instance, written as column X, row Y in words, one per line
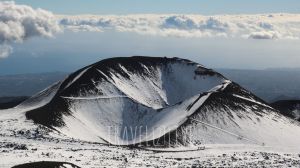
column 110, row 119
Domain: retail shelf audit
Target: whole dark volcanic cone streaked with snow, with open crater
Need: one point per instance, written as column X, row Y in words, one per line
column 135, row 100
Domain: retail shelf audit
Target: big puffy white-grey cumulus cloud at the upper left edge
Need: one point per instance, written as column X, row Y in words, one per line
column 20, row 22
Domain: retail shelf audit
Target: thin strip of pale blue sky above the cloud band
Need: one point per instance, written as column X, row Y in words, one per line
column 206, row 7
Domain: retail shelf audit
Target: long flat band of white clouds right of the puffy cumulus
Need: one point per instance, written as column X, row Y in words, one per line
column 259, row 26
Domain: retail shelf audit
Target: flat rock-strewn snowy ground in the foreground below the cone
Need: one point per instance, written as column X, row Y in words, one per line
column 18, row 150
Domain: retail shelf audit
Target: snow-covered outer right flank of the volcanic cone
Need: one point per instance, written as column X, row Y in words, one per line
column 257, row 123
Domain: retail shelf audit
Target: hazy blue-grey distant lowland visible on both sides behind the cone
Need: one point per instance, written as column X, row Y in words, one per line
column 271, row 84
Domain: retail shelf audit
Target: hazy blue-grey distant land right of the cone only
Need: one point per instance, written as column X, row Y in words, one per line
column 271, row 84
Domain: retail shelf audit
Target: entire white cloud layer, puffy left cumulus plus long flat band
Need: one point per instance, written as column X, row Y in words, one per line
column 21, row 22
